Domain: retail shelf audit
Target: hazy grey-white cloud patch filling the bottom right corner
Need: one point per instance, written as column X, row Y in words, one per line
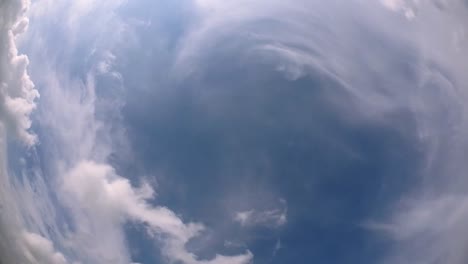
column 427, row 230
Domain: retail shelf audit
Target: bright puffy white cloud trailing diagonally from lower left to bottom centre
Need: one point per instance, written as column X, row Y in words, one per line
column 109, row 198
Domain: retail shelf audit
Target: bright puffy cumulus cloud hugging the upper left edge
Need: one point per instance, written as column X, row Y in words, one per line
column 17, row 93
